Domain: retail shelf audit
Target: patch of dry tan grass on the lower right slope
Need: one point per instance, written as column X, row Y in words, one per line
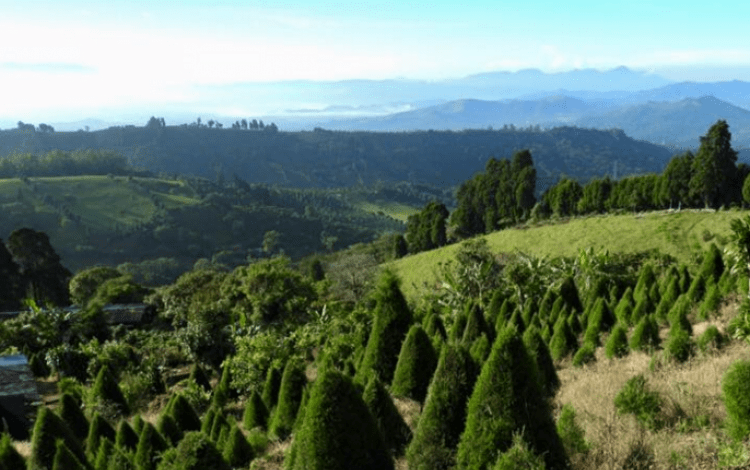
column 692, row 414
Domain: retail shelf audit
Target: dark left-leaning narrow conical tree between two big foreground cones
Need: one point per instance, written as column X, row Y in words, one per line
column 396, row 434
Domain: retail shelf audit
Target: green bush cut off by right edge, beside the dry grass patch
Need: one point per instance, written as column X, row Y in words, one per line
column 736, row 399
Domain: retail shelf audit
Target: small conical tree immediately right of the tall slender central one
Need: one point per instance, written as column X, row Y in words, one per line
column 416, row 363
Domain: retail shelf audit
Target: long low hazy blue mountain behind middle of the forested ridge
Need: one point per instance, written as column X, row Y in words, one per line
column 474, row 114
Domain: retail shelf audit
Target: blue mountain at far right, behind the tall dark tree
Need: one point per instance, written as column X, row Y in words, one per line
column 675, row 123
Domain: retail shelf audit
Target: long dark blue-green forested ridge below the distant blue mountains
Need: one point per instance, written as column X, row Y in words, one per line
column 335, row 159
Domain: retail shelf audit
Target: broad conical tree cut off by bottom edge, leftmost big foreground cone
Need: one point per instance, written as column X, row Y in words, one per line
column 338, row 432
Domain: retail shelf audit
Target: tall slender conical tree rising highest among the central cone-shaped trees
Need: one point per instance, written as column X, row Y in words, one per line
column 390, row 326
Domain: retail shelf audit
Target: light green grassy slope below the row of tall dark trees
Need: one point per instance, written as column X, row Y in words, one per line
column 682, row 234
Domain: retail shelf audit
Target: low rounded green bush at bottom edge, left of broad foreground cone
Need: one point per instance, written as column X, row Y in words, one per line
column 195, row 452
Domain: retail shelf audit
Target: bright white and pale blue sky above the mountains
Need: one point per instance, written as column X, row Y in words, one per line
column 74, row 59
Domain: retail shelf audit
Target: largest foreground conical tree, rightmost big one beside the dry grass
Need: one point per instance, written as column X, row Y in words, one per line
column 507, row 399
